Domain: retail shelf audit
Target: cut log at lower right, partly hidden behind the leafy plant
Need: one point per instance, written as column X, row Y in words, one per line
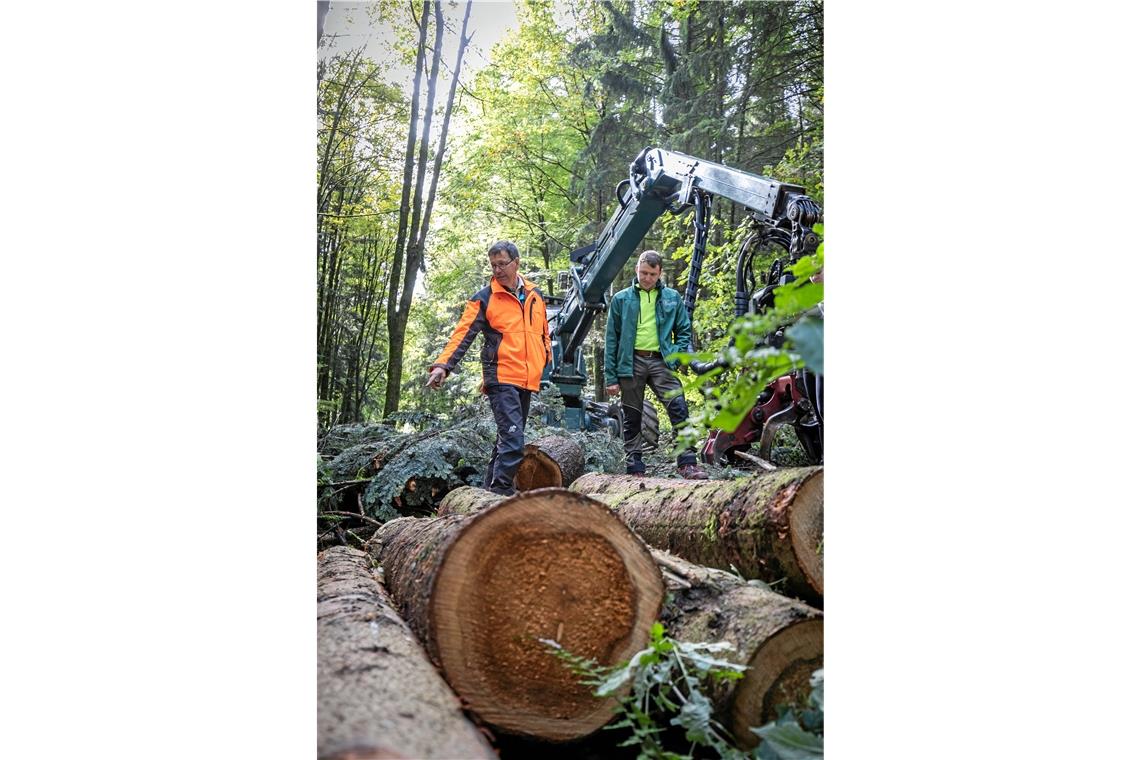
column 780, row 640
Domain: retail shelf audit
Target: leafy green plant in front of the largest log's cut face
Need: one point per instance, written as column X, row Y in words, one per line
column 666, row 682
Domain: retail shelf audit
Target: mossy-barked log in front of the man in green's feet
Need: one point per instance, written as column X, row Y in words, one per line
column 768, row 527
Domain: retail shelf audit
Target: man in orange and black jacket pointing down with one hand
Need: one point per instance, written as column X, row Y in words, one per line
column 511, row 315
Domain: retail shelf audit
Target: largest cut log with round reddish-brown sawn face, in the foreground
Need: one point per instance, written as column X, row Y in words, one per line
column 481, row 591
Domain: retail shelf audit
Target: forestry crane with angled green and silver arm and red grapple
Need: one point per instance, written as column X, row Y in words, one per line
column 666, row 182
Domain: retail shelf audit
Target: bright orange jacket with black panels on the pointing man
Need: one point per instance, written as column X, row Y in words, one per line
column 517, row 339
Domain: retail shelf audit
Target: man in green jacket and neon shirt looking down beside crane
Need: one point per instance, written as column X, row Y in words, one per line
column 647, row 323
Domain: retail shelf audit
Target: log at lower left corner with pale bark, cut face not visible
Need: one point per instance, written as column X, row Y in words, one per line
column 378, row 694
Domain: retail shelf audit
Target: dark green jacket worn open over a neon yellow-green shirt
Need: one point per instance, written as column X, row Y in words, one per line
column 674, row 330
